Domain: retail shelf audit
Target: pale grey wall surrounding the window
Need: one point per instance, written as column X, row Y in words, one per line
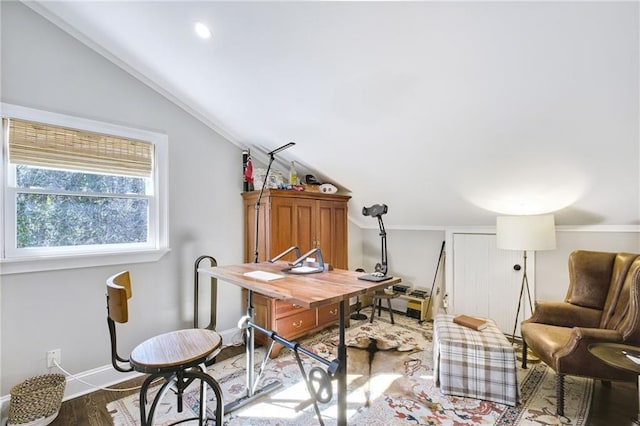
column 44, row 68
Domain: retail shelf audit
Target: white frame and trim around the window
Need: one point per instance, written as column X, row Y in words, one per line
column 14, row 260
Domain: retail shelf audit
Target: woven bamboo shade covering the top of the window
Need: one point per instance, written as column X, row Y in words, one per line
column 45, row 145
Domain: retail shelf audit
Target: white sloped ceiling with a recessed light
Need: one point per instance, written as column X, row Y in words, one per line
column 450, row 113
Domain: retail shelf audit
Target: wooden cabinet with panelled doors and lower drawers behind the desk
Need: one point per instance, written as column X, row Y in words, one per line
column 304, row 219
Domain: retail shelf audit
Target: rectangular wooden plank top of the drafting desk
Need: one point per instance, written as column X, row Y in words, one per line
column 306, row 290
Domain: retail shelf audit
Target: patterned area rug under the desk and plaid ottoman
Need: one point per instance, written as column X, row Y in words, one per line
column 390, row 382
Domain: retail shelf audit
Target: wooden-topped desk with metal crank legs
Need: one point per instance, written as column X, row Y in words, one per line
column 309, row 291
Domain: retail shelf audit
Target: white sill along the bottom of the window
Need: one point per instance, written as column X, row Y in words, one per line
column 53, row 263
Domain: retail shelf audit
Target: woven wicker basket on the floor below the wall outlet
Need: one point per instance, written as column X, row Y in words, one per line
column 36, row 398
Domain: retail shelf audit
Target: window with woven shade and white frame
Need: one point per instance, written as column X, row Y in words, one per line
column 76, row 189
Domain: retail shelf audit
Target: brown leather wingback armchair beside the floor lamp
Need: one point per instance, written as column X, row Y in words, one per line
column 601, row 305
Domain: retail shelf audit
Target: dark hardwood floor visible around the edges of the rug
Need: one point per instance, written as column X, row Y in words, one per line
column 614, row 405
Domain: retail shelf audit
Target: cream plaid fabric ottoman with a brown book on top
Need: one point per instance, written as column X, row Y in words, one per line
column 476, row 364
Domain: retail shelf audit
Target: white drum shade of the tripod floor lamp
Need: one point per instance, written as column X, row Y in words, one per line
column 537, row 232
